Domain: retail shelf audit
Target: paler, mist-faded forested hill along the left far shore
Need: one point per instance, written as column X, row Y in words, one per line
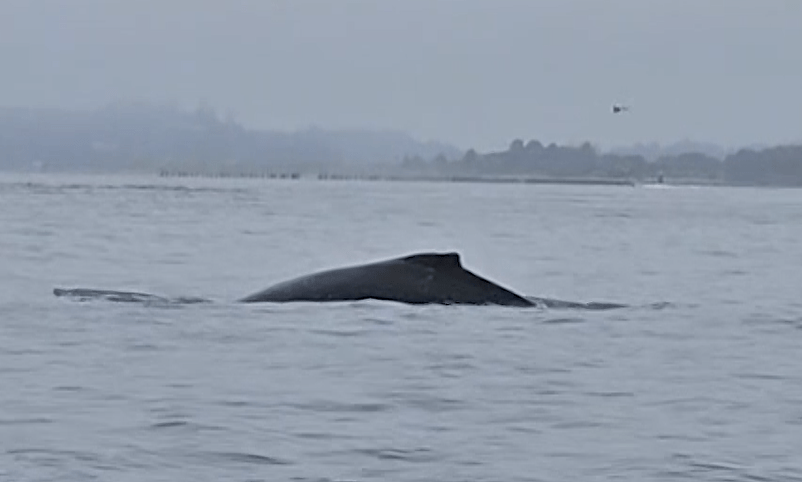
column 146, row 137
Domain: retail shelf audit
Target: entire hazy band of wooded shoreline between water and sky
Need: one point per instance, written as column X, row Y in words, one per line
column 145, row 138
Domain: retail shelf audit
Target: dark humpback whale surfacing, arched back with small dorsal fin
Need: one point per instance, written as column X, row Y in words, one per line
column 423, row 278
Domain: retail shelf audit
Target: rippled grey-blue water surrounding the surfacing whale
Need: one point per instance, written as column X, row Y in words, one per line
column 698, row 379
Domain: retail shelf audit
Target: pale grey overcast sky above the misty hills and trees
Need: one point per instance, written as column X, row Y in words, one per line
column 474, row 73
